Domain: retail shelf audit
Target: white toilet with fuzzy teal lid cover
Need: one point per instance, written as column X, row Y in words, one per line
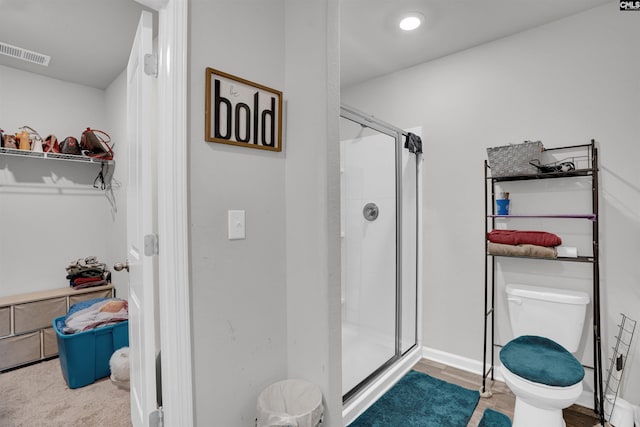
column 538, row 365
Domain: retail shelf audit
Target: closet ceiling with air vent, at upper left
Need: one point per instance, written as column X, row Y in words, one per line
column 88, row 40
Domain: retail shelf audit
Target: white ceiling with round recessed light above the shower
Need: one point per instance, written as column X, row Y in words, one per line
column 372, row 44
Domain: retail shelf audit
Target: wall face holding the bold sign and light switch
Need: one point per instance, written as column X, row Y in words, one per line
column 238, row 287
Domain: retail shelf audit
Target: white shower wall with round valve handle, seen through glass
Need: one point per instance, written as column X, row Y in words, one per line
column 369, row 247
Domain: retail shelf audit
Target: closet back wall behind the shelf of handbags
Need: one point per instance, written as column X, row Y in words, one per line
column 50, row 213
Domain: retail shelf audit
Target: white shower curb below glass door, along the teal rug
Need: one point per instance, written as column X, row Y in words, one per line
column 373, row 392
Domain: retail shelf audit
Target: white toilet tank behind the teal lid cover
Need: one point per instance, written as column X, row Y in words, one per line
column 557, row 314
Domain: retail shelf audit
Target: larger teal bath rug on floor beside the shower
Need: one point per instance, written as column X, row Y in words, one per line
column 419, row 400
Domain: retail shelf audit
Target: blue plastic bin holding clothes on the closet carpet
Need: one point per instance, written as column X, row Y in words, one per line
column 84, row 356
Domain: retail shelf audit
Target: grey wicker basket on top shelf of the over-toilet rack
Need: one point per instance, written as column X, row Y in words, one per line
column 513, row 159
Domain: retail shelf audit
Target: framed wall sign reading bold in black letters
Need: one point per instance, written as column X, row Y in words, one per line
column 243, row 113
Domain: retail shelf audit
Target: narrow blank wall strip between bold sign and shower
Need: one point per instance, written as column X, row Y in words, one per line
column 313, row 199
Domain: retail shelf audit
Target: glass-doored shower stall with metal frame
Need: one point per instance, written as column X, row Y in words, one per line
column 380, row 221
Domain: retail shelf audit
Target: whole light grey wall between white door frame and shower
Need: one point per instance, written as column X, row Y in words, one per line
column 261, row 310
